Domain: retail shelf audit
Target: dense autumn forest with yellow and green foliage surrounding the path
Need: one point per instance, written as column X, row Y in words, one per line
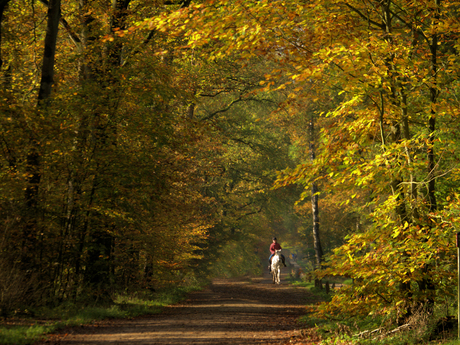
column 150, row 143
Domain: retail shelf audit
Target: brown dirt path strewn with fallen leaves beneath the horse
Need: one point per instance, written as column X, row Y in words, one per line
column 228, row 312
